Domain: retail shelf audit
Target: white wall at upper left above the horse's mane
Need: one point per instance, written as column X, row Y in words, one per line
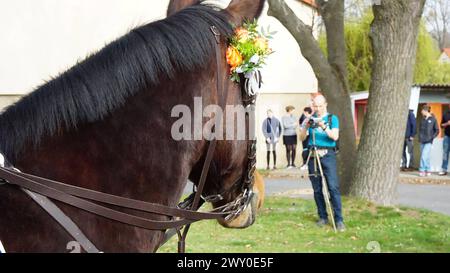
column 41, row 38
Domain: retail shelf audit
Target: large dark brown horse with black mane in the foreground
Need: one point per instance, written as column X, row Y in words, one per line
column 105, row 125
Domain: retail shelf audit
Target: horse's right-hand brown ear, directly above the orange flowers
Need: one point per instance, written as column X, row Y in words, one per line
column 241, row 10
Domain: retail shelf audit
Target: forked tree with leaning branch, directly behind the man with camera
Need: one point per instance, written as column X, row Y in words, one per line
column 331, row 73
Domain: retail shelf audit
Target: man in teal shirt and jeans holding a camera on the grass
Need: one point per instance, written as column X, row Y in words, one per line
column 323, row 129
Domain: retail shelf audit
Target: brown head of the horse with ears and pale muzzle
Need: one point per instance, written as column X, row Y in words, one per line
column 230, row 182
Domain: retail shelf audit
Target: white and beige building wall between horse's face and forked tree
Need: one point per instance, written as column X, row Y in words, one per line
column 288, row 80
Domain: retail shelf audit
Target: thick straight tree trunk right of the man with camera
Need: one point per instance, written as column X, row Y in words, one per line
column 394, row 34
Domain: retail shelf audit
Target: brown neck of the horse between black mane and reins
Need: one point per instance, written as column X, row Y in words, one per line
column 129, row 153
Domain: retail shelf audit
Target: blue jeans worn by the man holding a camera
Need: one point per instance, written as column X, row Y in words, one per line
column 330, row 172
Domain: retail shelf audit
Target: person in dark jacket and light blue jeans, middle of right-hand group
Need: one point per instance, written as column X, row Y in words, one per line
column 429, row 130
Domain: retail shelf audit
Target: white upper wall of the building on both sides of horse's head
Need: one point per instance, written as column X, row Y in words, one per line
column 41, row 38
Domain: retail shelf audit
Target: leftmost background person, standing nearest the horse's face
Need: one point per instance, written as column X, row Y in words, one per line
column 272, row 130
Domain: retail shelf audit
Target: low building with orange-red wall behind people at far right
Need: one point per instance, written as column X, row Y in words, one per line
column 435, row 95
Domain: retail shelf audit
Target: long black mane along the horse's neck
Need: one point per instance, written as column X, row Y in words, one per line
column 101, row 83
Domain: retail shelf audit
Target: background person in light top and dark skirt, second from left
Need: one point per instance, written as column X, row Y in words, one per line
column 289, row 122
